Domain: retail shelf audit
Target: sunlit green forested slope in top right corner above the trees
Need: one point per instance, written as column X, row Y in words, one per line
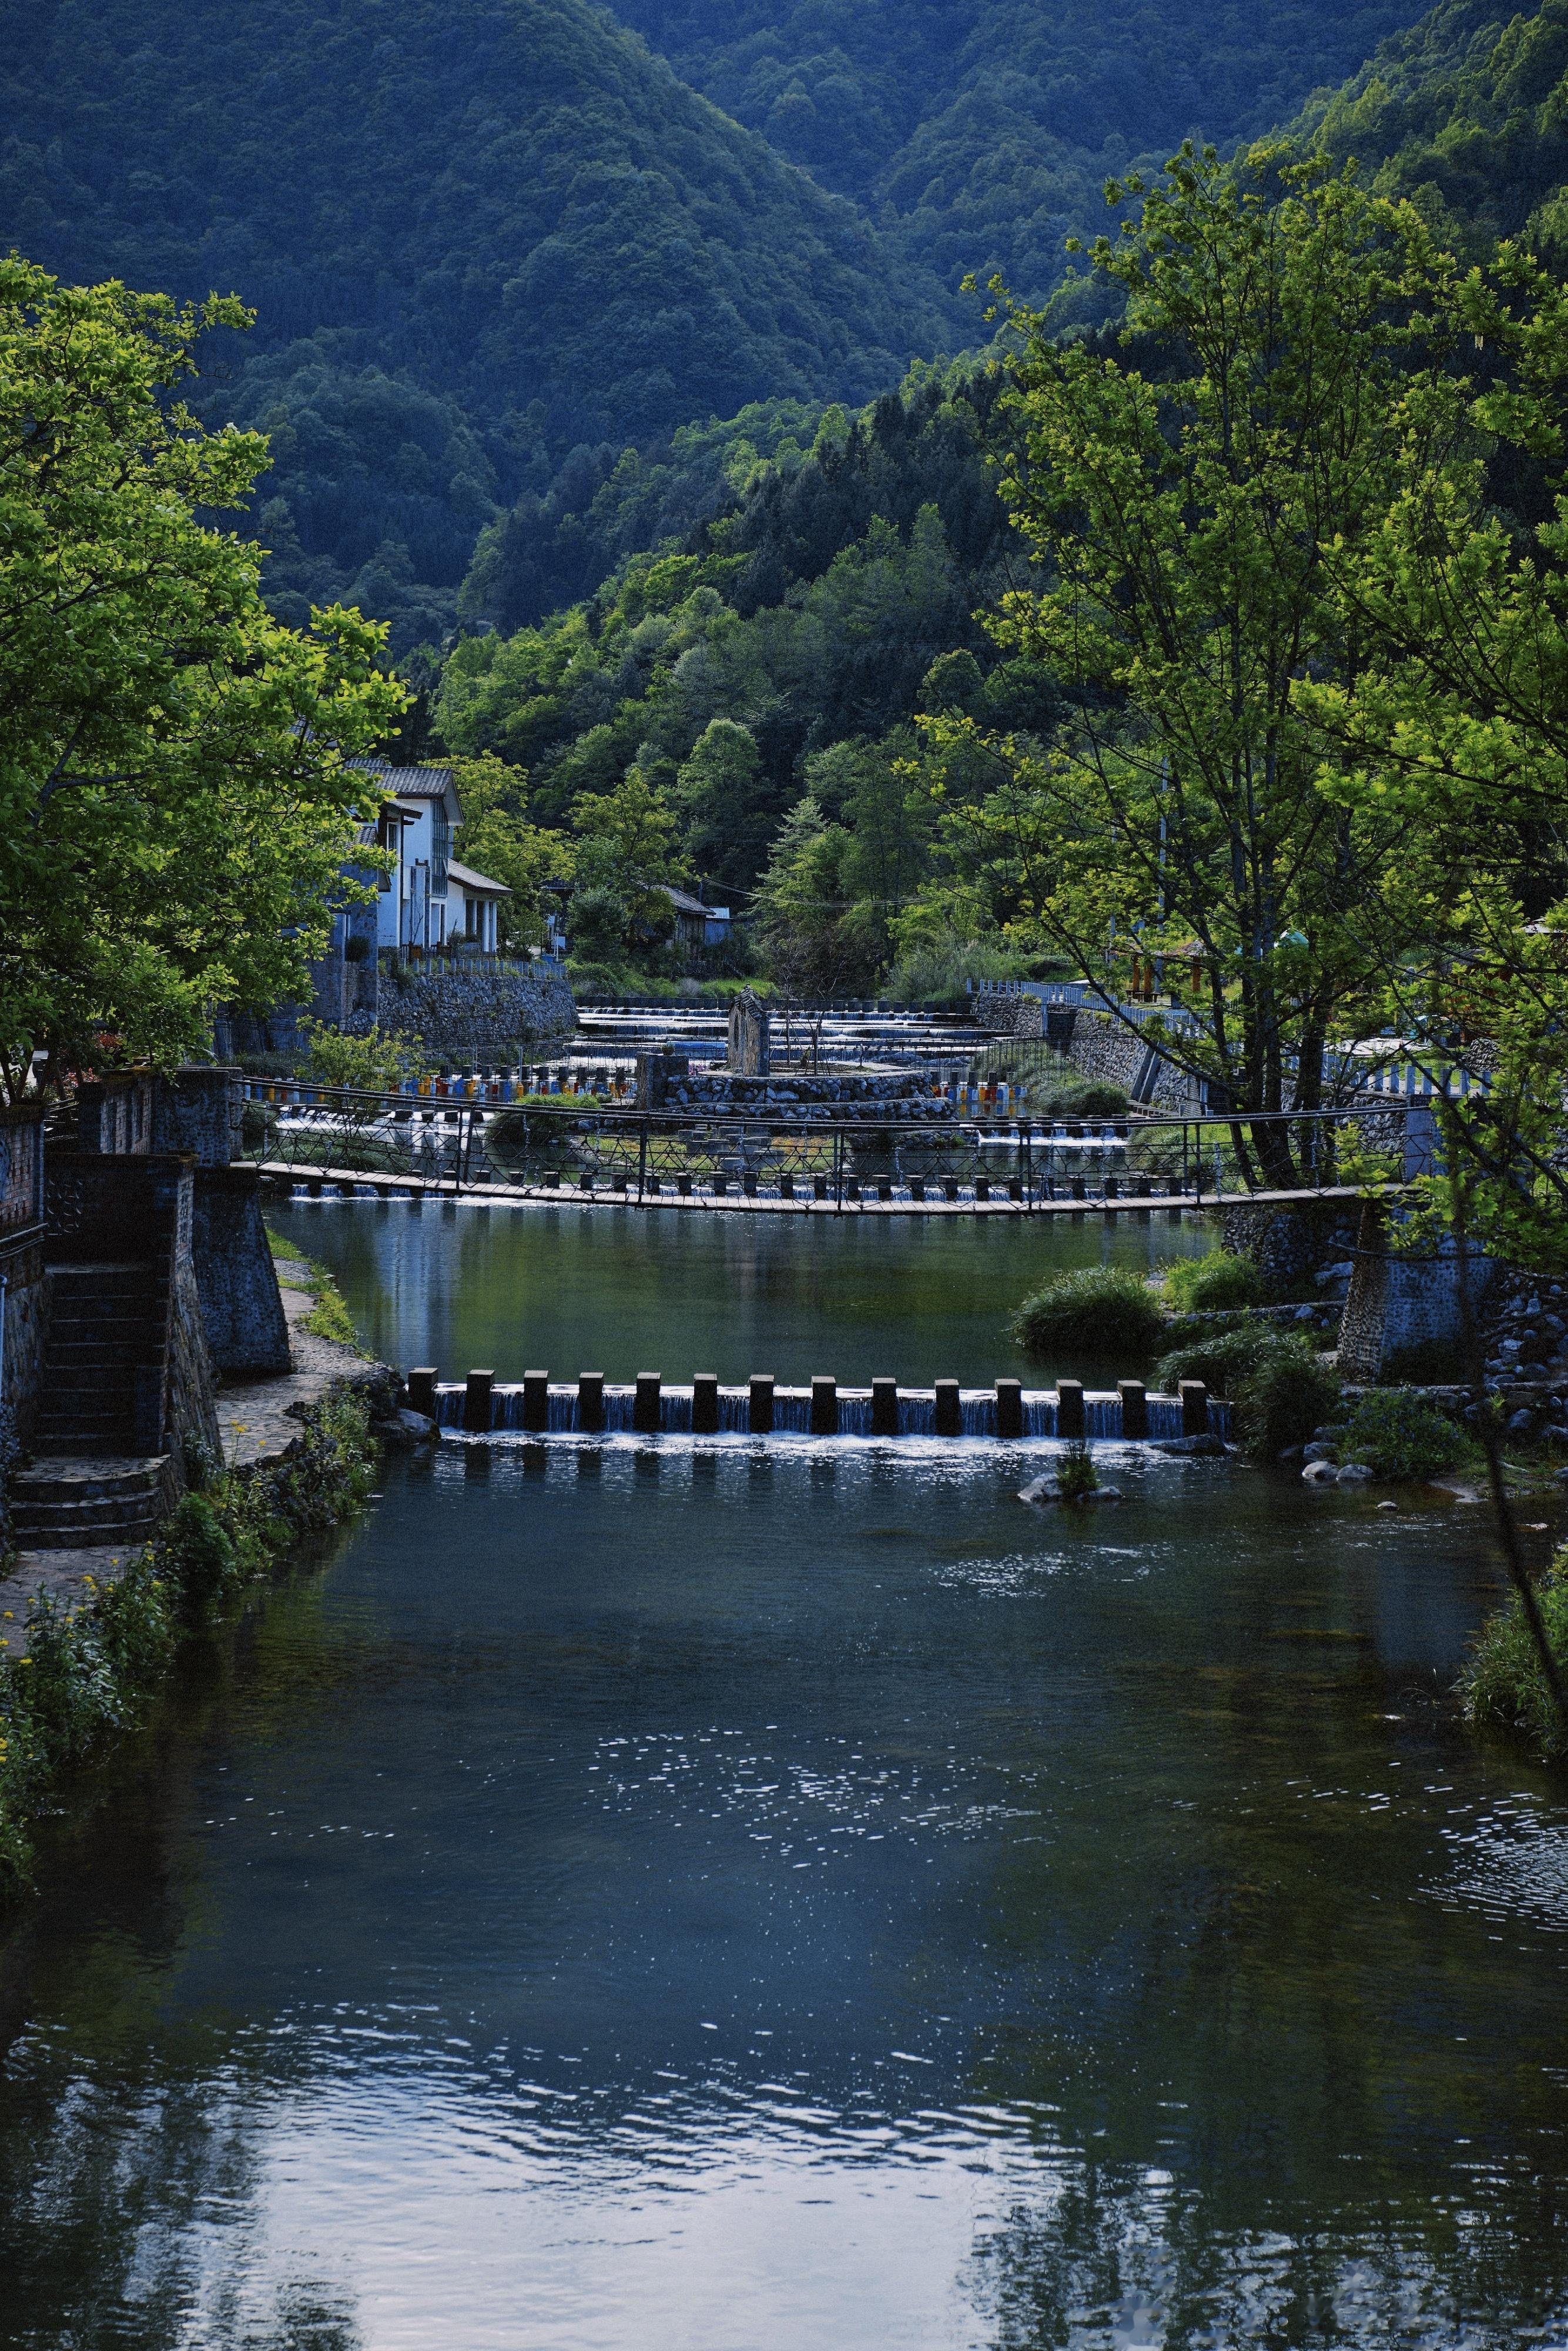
column 1466, row 114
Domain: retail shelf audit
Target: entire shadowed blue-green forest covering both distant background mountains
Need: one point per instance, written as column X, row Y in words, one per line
column 497, row 246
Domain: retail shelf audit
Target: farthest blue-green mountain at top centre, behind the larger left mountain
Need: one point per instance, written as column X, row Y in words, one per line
column 979, row 133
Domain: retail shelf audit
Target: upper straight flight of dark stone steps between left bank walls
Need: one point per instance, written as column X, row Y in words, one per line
column 107, row 1344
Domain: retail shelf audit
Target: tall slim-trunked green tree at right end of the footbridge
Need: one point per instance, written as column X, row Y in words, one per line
column 1188, row 493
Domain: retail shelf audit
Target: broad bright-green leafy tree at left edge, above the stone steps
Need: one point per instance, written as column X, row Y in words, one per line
column 175, row 798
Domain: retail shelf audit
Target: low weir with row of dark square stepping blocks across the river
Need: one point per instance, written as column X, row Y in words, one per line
column 763, row 1407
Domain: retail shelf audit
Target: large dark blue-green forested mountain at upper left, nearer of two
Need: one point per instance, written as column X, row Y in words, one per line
column 476, row 234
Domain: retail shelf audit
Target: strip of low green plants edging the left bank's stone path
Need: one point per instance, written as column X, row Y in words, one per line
column 74, row 1680
